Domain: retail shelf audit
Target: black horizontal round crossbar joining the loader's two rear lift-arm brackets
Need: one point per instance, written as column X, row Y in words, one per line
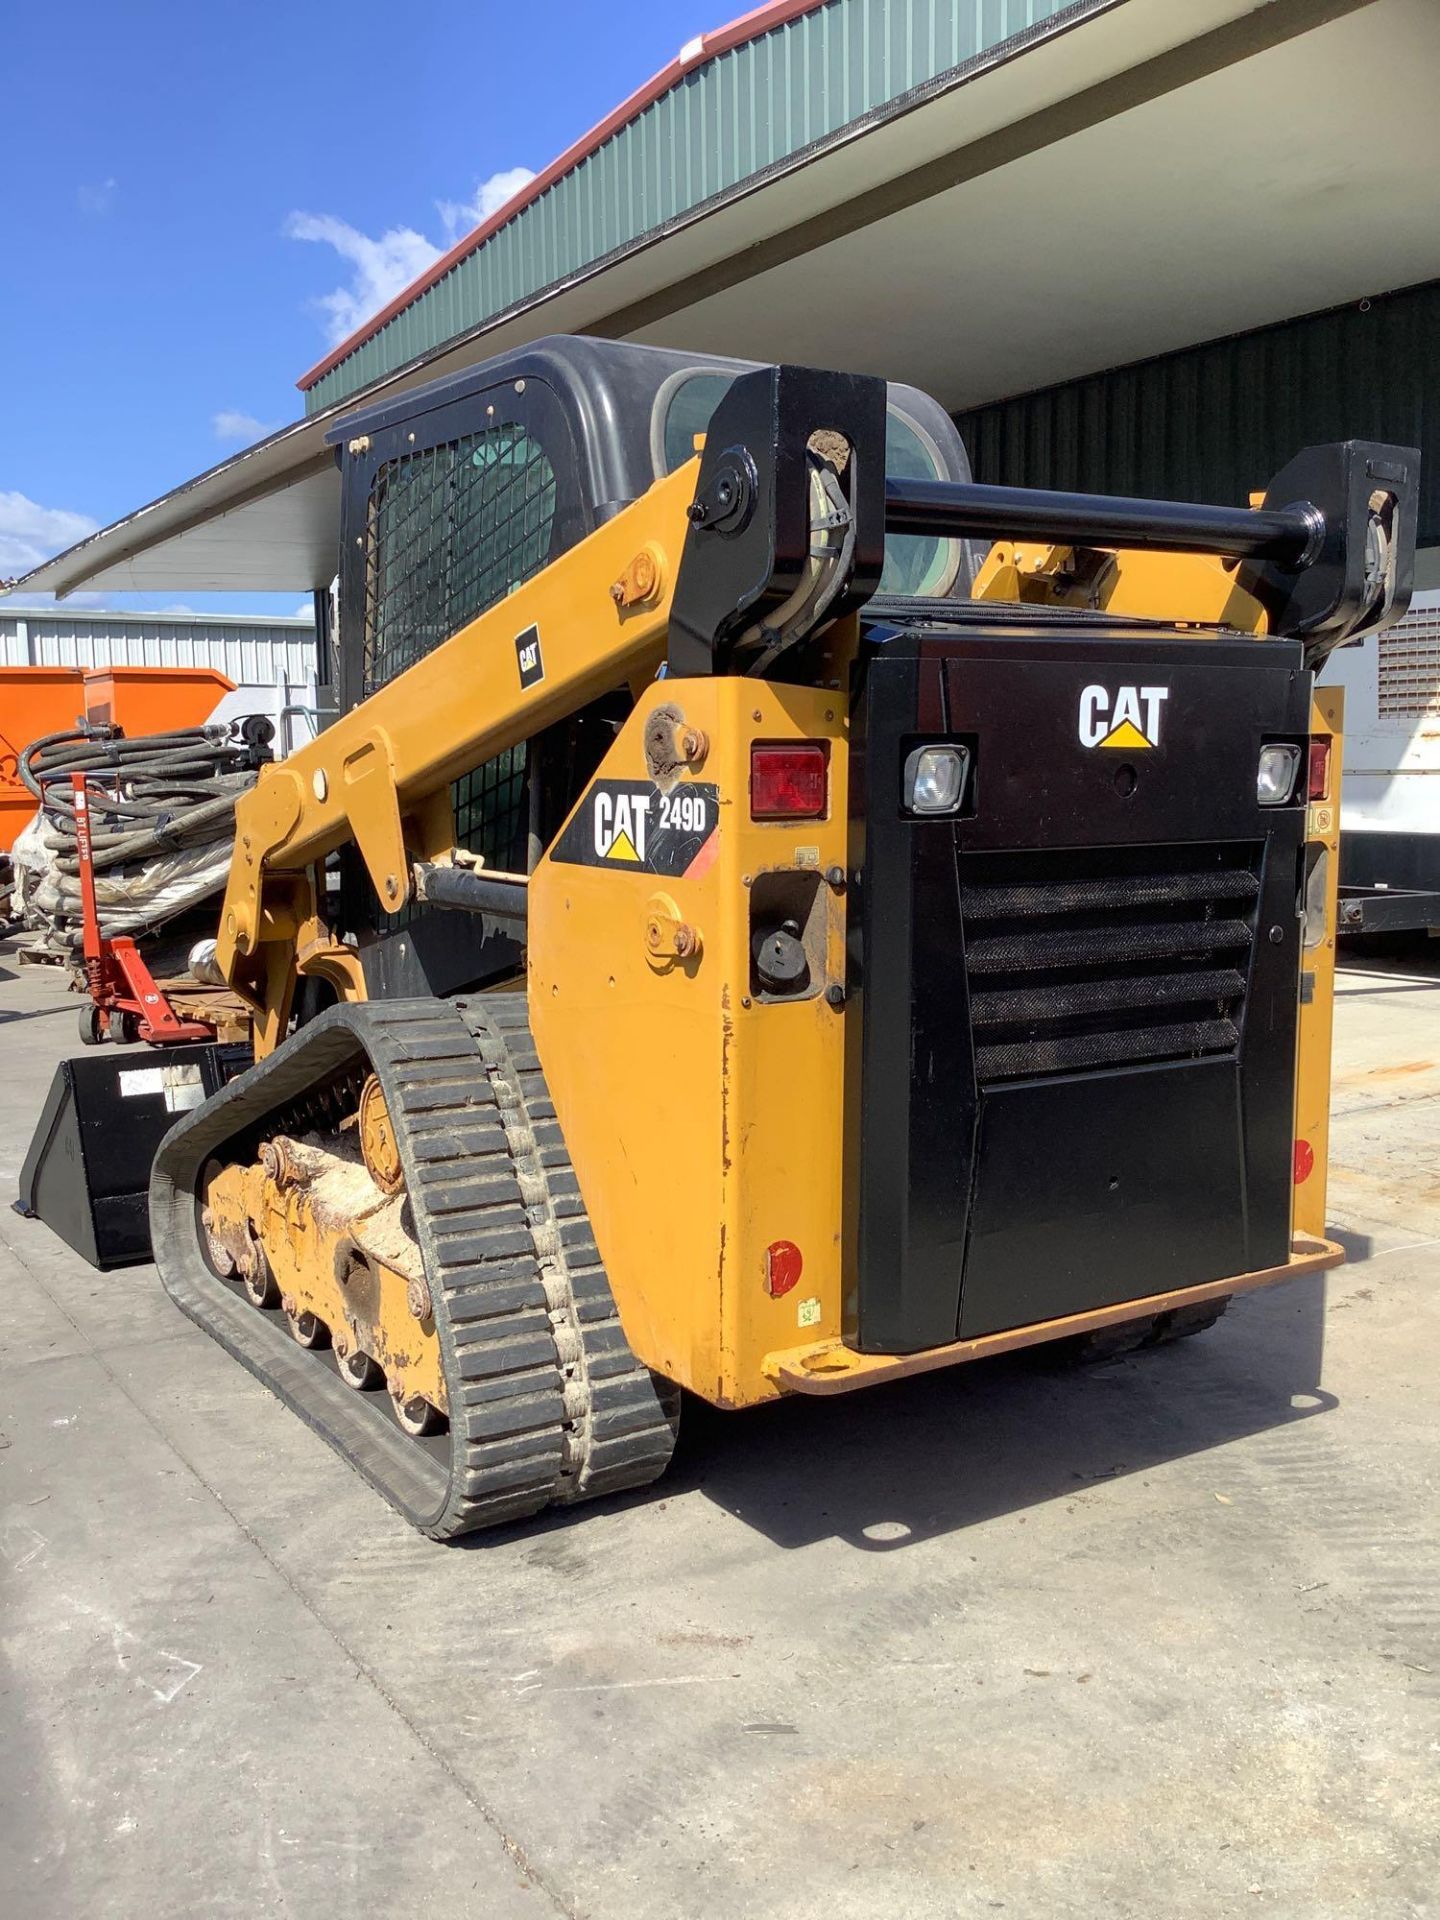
column 1291, row 537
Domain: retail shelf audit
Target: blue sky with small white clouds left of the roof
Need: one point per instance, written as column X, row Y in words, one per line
column 197, row 201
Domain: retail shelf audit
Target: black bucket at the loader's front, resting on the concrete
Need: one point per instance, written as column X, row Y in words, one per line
column 87, row 1174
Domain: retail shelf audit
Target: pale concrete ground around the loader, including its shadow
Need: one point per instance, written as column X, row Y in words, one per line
column 1159, row 1639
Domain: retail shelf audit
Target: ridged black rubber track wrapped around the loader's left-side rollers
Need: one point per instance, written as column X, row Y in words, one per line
column 521, row 1410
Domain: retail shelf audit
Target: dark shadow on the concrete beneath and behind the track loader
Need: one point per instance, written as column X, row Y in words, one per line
column 932, row 1456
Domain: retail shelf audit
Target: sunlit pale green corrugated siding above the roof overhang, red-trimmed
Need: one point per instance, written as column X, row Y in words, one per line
column 723, row 124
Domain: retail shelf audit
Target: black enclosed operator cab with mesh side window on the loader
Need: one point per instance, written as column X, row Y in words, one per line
column 458, row 494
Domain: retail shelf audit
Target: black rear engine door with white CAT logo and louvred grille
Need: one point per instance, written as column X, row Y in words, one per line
column 1080, row 994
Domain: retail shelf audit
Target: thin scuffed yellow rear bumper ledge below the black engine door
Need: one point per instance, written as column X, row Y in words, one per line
column 828, row 1368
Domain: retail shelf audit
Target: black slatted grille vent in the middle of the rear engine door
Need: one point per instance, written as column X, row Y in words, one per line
column 1107, row 957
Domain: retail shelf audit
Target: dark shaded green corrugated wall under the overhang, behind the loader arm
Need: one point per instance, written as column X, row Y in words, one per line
column 1220, row 420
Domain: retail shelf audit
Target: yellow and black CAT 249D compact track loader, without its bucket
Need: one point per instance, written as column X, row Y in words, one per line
column 767, row 923
